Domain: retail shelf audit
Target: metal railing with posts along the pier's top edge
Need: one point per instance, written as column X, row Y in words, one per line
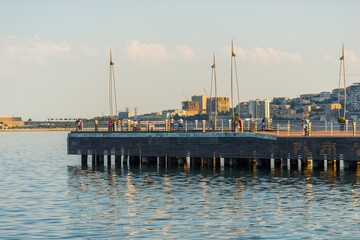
column 279, row 128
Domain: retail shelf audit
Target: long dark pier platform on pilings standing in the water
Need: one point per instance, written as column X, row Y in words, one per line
column 216, row 149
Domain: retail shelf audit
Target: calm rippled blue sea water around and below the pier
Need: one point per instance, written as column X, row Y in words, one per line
column 46, row 194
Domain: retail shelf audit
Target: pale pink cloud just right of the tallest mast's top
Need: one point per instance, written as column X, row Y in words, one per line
column 259, row 54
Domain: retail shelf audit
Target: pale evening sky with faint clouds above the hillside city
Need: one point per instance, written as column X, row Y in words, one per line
column 54, row 55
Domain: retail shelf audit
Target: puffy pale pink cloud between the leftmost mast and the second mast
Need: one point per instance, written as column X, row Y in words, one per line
column 158, row 52
